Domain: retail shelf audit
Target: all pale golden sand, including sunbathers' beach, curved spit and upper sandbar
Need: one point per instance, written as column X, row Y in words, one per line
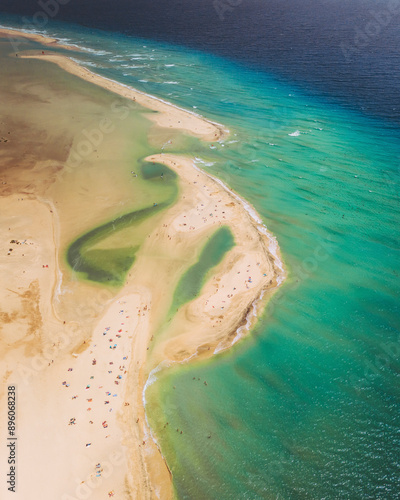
column 81, row 377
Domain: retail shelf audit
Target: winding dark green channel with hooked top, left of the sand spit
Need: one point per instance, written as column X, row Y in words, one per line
column 110, row 266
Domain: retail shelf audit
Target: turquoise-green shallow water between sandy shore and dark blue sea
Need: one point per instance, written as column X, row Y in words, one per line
column 308, row 405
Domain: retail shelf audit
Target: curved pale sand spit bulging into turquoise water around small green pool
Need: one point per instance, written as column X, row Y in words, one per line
column 248, row 270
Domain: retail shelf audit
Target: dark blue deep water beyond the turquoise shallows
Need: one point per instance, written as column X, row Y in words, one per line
column 348, row 50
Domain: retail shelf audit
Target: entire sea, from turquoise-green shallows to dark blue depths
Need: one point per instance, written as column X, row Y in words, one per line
column 307, row 406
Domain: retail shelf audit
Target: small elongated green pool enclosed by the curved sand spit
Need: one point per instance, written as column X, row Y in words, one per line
column 193, row 279
